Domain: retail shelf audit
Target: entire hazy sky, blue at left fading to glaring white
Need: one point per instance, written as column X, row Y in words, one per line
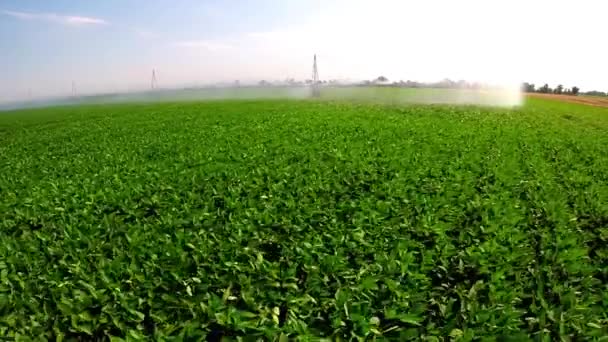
column 113, row 45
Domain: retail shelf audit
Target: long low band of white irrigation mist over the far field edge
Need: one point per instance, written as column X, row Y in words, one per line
column 502, row 97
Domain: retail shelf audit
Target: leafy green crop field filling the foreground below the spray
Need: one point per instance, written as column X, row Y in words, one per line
column 296, row 219
